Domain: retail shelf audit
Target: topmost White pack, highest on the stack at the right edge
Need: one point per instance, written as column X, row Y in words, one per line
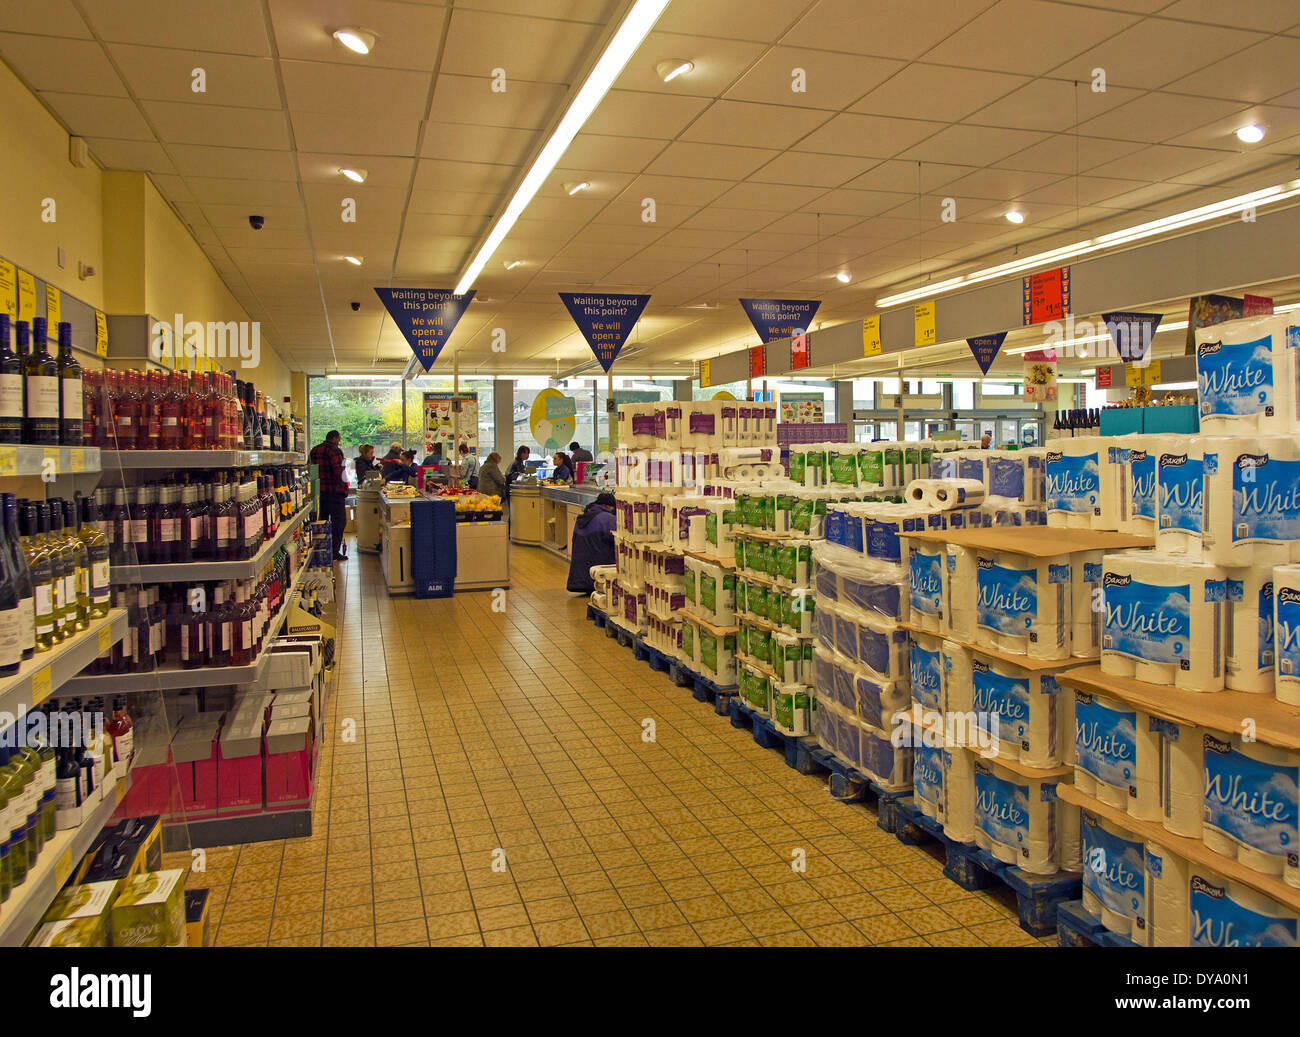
column 1247, row 378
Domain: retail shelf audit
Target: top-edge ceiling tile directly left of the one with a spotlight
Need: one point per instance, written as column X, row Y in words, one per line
column 232, row 27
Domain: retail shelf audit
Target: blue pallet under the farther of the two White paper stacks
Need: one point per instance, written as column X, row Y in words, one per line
column 1037, row 896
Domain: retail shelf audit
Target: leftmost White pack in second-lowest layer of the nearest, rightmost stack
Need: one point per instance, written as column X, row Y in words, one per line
column 1117, row 756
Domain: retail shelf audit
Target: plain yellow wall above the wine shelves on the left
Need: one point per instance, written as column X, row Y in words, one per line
column 146, row 259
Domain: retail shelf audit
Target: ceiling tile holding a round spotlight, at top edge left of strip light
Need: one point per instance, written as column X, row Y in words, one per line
column 409, row 34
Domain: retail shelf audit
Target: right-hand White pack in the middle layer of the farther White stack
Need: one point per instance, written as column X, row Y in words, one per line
column 1021, row 710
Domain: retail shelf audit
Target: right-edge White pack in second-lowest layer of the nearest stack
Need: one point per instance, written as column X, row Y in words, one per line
column 1253, row 801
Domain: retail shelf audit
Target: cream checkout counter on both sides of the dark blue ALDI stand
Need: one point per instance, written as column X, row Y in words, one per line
column 483, row 549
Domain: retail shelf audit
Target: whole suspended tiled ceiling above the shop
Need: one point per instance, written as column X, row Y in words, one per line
column 760, row 190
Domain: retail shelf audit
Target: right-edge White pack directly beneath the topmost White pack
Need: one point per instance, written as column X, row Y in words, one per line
column 1253, row 501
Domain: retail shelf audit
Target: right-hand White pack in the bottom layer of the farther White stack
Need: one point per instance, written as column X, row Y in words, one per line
column 1016, row 818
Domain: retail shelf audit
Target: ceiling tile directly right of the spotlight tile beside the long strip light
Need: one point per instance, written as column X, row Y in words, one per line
column 827, row 81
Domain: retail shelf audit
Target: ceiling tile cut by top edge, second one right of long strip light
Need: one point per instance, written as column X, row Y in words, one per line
column 903, row 29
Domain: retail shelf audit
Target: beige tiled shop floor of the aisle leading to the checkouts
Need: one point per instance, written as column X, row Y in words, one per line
column 501, row 789
